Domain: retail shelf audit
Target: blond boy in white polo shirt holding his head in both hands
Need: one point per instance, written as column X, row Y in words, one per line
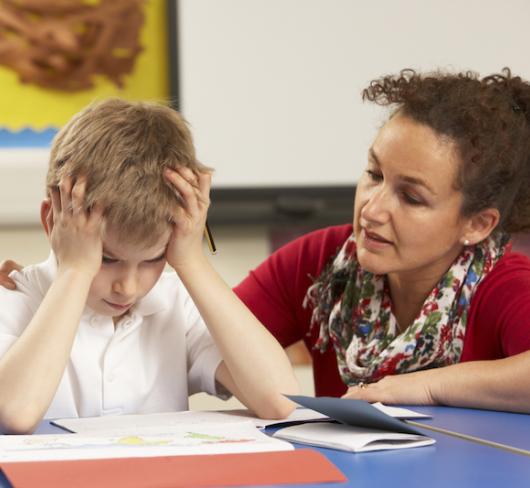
column 98, row 328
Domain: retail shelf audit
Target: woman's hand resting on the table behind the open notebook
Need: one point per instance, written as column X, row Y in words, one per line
column 408, row 389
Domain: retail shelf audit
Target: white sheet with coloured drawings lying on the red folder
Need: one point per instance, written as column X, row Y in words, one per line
column 202, row 438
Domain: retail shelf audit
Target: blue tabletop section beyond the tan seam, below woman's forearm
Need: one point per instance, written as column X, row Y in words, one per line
column 512, row 429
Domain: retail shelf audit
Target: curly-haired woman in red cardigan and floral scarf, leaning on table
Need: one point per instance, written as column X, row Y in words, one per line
column 421, row 300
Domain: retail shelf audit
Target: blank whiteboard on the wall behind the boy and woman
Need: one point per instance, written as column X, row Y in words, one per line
column 272, row 88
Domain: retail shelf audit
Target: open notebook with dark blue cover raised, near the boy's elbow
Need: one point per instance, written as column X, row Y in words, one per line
column 355, row 426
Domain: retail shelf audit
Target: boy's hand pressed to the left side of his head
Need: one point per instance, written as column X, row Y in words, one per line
column 75, row 232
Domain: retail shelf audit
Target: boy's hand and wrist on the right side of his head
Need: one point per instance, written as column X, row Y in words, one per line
column 185, row 243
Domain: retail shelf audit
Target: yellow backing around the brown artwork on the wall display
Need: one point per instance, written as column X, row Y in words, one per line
column 30, row 106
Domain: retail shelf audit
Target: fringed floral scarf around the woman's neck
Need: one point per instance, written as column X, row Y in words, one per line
column 352, row 308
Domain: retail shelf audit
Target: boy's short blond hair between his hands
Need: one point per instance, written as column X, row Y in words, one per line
column 122, row 148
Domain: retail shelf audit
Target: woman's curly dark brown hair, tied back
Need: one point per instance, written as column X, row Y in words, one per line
column 488, row 119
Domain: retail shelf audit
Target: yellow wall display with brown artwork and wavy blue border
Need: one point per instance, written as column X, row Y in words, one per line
column 57, row 56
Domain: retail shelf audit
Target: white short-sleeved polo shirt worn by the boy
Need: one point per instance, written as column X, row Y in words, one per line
column 158, row 354
